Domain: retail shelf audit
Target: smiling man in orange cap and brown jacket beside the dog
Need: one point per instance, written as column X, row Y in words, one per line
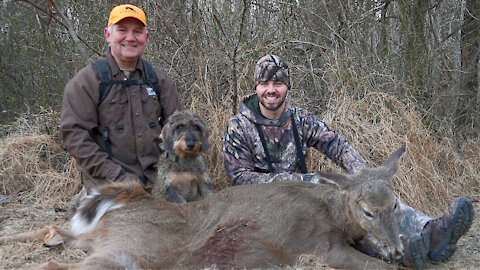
column 114, row 108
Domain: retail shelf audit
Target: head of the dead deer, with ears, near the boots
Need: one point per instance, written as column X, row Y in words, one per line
column 372, row 203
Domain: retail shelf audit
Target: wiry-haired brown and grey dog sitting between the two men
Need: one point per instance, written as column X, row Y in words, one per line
column 182, row 174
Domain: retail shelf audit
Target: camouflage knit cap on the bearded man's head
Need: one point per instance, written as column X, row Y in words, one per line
column 271, row 68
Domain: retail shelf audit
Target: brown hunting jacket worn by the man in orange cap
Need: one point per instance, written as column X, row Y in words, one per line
column 132, row 115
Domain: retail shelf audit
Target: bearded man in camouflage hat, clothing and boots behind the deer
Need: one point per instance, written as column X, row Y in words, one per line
column 267, row 114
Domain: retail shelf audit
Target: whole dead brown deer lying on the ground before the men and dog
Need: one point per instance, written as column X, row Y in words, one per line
column 251, row 226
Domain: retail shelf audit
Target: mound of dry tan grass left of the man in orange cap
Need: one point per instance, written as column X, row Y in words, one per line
column 34, row 164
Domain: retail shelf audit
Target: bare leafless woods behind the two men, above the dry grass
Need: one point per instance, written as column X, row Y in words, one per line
column 425, row 50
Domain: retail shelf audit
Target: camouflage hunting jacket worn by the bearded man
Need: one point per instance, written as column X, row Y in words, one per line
column 244, row 156
